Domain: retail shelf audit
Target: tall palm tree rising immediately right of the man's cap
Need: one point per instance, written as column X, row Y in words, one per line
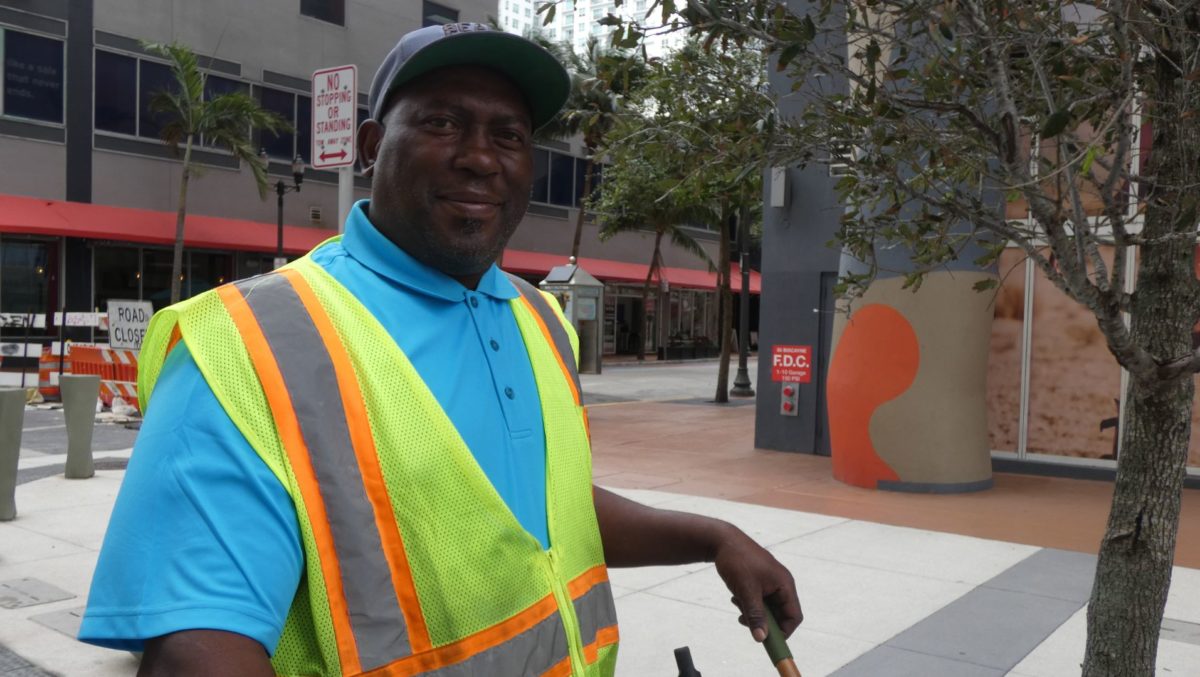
column 602, row 81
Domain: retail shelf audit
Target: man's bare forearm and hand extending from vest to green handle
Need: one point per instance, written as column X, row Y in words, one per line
column 640, row 536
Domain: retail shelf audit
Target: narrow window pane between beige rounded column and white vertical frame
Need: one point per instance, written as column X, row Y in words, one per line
column 1005, row 358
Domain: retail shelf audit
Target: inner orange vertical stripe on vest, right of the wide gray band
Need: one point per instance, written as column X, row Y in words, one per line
column 369, row 465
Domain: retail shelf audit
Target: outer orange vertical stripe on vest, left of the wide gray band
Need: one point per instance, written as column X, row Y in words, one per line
column 292, row 441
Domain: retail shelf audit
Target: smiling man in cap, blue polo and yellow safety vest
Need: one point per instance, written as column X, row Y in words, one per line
column 376, row 460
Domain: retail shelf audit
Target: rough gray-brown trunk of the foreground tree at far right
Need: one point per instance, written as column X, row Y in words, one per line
column 1135, row 571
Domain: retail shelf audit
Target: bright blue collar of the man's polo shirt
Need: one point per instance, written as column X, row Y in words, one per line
column 365, row 244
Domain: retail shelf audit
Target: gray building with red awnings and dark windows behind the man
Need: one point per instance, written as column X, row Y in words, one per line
column 88, row 191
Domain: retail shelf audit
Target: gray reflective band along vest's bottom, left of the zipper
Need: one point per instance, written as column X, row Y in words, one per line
column 532, row 652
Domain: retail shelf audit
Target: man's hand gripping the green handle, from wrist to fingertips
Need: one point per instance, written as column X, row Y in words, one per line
column 755, row 578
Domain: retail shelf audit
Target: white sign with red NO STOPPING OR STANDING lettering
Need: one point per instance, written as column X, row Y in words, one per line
column 334, row 117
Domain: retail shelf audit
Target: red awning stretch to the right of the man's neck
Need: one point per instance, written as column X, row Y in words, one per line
column 539, row 263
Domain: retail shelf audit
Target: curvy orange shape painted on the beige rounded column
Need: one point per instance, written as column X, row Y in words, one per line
column 875, row 362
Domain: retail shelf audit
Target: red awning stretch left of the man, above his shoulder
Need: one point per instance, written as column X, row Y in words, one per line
column 37, row 217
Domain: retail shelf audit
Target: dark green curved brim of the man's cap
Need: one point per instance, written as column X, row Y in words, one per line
column 541, row 77
